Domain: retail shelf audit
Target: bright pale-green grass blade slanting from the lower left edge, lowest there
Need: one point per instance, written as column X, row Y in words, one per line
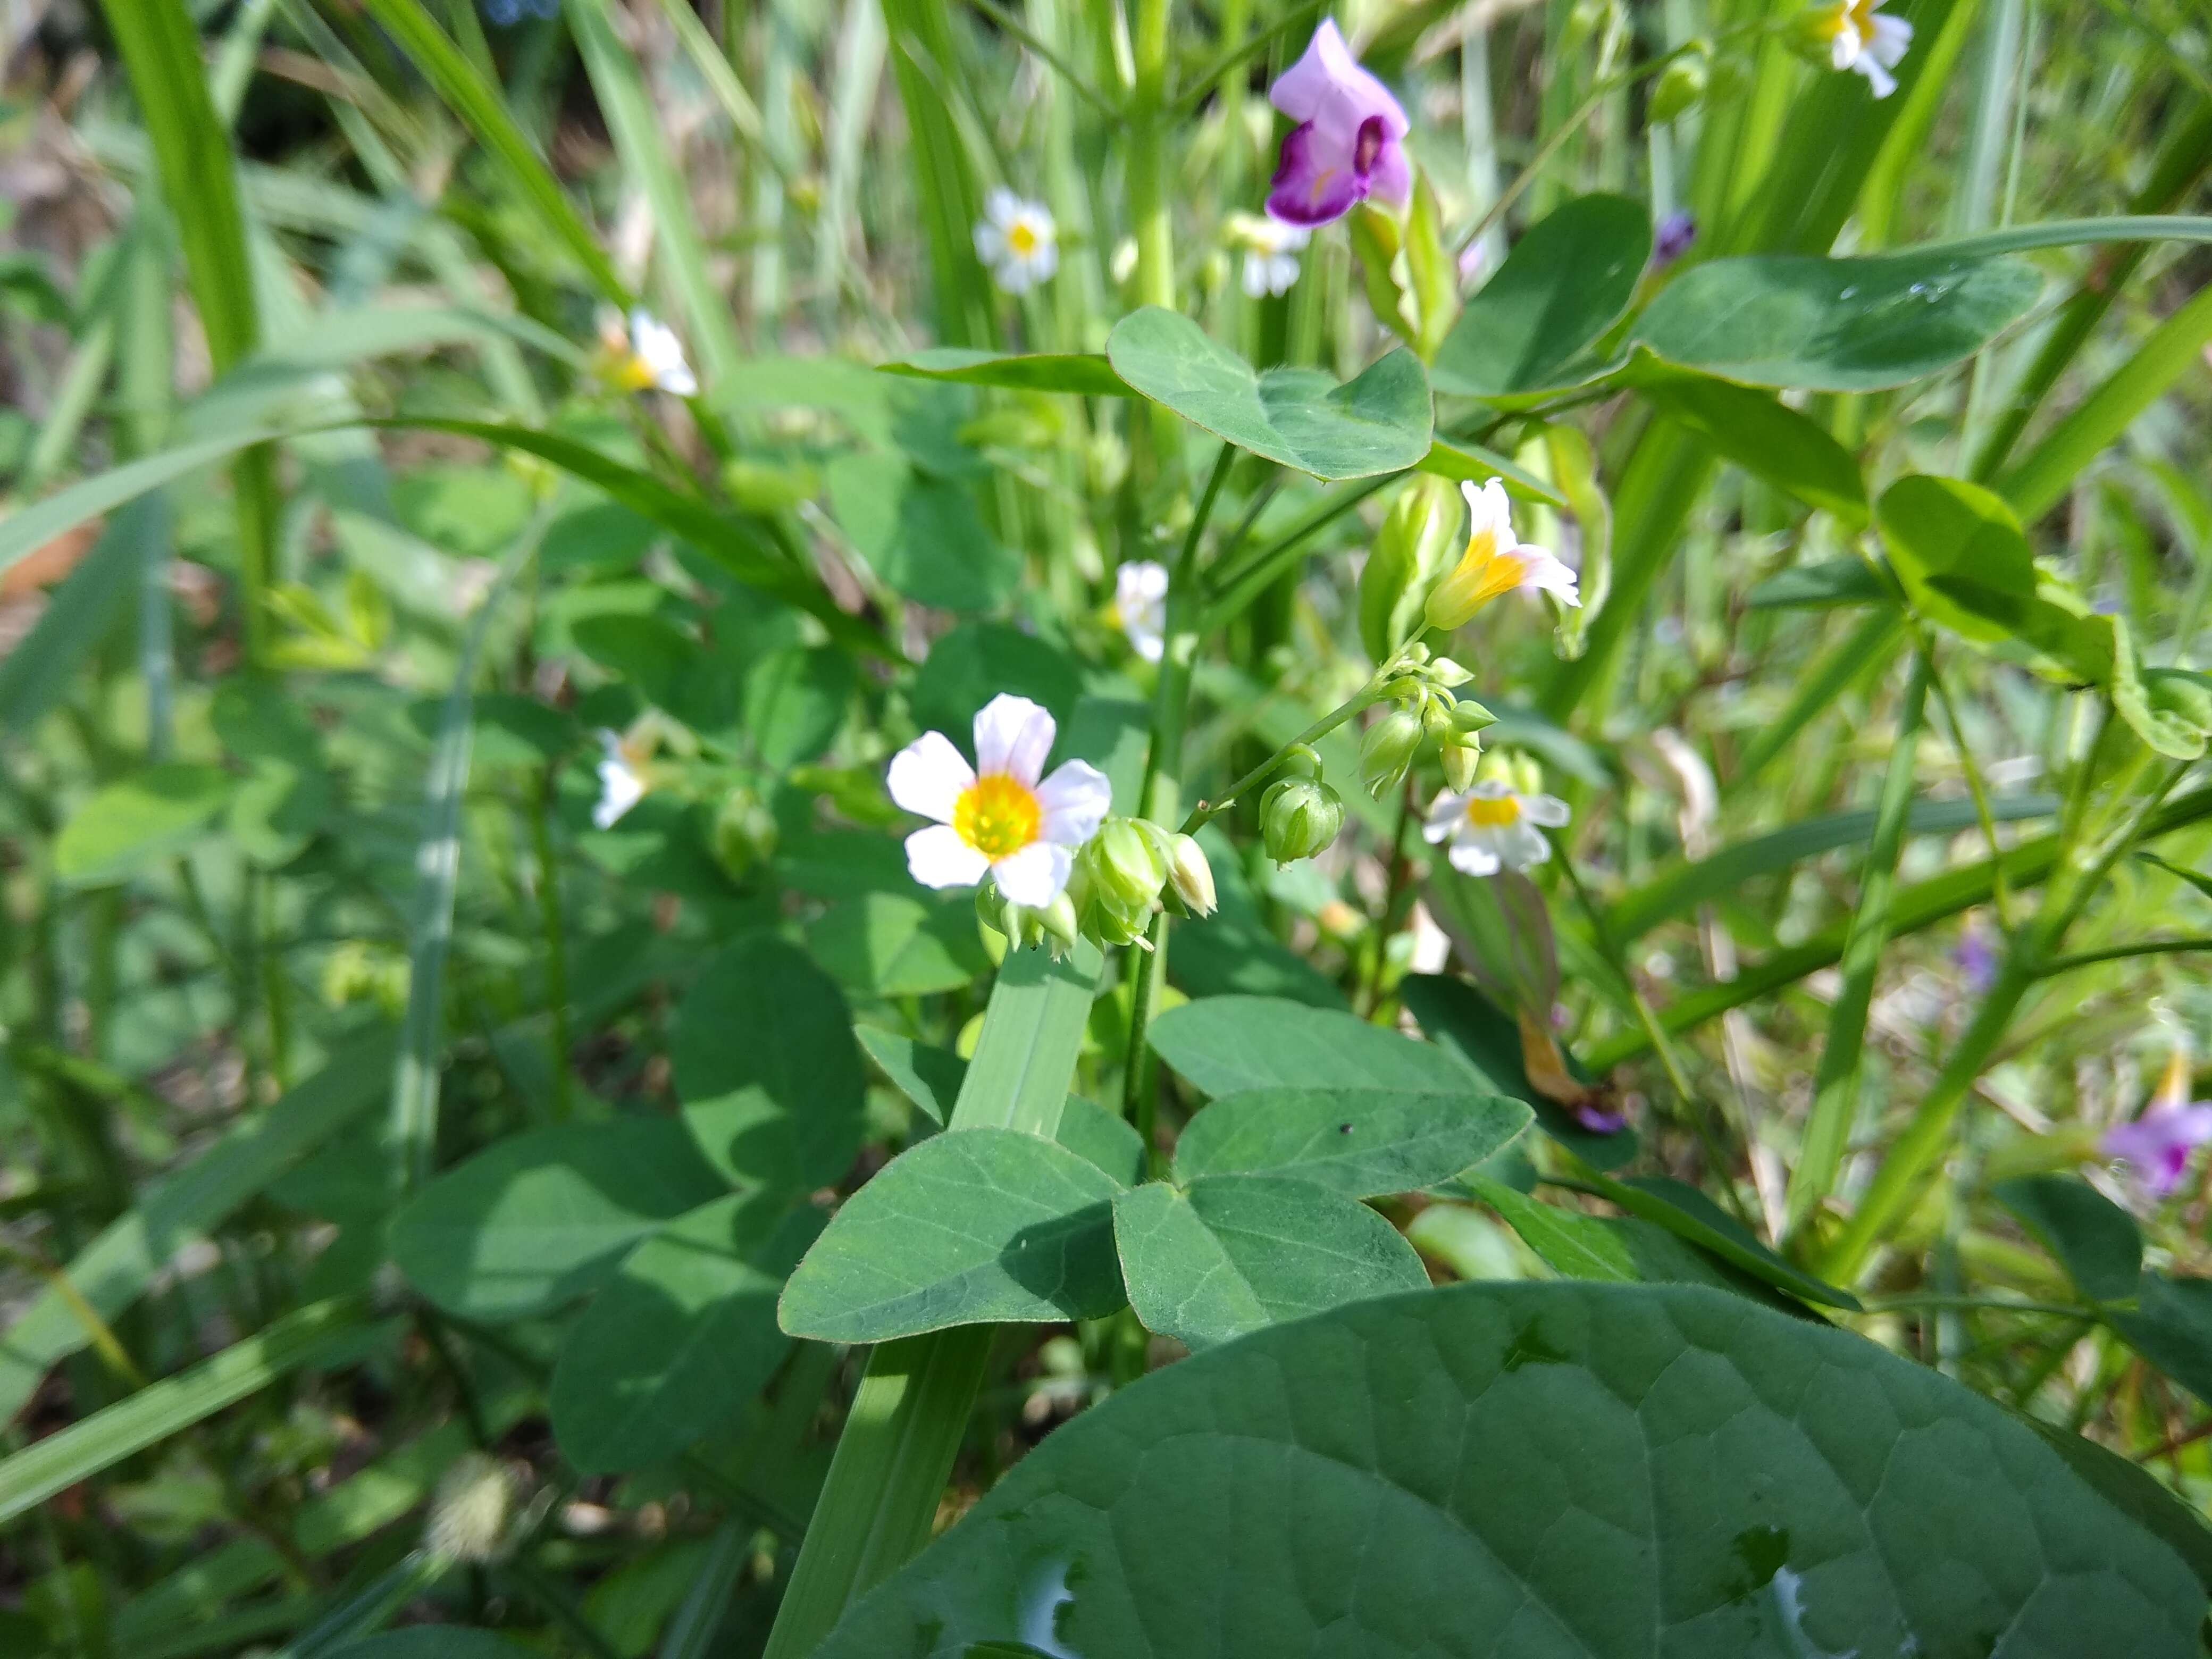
column 105, row 1439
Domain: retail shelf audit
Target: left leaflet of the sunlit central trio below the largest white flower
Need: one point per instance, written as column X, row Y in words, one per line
column 968, row 1229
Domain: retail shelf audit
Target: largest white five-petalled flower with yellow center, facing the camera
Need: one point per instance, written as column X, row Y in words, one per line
column 997, row 815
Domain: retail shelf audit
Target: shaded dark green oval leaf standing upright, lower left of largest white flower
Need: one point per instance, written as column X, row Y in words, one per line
column 769, row 1067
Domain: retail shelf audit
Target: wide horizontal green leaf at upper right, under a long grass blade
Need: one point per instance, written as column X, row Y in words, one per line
column 1835, row 324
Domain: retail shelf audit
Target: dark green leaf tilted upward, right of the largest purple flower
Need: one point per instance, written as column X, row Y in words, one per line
column 1534, row 324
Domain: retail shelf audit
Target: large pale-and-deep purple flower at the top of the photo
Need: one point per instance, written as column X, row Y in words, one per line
column 1348, row 138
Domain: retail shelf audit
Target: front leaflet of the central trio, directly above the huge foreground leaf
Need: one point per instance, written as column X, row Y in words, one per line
column 1233, row 1253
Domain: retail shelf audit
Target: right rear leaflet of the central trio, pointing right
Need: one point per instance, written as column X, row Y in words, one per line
column 1357, row 1142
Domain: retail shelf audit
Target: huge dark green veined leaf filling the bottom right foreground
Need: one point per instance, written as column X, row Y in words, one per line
column 1534, row 1472
